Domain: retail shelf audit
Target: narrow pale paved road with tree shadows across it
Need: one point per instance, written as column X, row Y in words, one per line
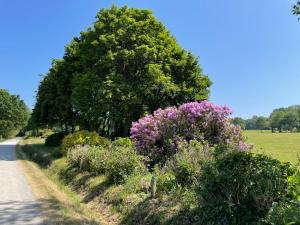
column 17, row 203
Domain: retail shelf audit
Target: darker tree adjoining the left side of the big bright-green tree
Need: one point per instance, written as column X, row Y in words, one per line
column 53, row 105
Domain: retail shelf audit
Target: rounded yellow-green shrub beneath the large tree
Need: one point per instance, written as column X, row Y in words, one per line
column 82, row 138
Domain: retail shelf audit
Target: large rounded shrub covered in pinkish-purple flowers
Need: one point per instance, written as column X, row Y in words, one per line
column 157, row 135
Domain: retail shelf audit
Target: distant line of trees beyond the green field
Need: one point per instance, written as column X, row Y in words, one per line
column 281, row 119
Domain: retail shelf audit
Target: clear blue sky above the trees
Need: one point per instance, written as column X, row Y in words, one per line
column 249, row 49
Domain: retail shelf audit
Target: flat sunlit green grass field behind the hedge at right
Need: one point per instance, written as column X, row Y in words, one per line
column 282, row 146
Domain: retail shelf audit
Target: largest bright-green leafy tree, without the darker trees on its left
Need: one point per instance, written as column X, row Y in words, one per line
column 131, row 65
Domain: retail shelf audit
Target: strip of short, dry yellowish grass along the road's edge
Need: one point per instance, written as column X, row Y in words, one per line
column 60, row 205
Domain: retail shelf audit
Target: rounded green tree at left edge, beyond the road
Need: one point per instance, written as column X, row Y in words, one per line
column 14, row 114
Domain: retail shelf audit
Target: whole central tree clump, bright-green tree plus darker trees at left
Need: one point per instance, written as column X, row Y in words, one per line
column 124, row 66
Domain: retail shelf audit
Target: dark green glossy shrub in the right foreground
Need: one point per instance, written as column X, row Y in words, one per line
column 240, row 188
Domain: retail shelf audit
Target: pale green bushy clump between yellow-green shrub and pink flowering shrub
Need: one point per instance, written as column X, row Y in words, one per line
column 115, row 161
